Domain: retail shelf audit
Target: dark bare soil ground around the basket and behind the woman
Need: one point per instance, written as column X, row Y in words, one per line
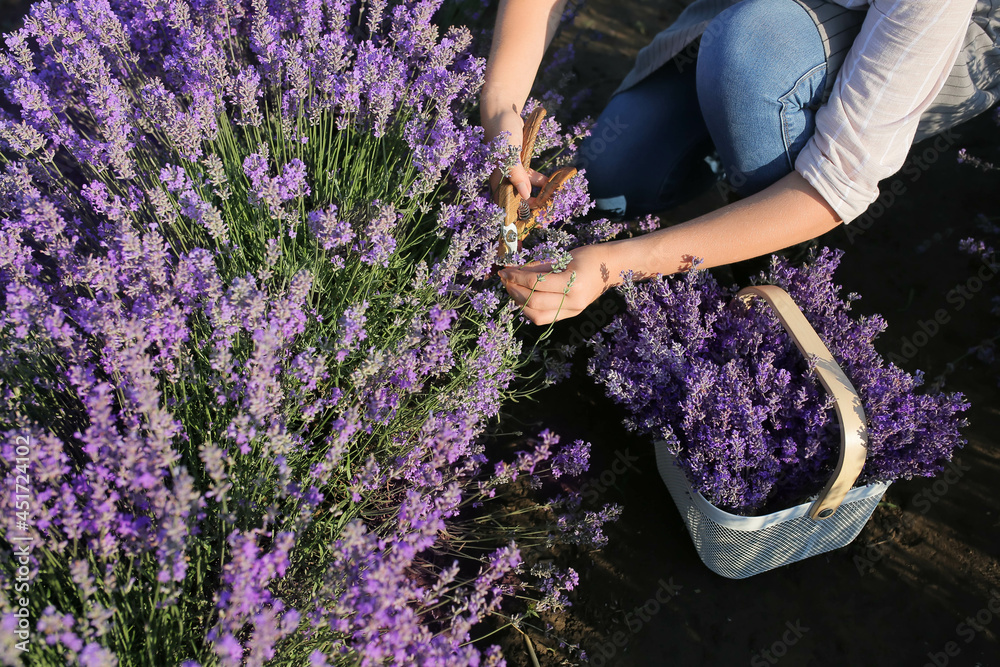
column 921, row 584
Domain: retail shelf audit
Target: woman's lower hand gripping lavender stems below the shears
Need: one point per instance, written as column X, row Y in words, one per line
column 546, row 297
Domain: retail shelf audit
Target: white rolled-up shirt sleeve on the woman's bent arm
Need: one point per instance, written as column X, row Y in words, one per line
column 899, row 62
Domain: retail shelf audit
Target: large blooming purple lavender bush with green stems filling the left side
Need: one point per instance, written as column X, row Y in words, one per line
column 250, row 338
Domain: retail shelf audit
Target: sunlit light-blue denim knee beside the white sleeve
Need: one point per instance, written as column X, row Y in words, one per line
column 761, row 70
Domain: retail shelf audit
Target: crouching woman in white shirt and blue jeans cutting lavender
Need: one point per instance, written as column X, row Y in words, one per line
column 808, row 103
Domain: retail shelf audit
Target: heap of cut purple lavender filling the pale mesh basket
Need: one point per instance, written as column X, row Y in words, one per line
column 747, row 420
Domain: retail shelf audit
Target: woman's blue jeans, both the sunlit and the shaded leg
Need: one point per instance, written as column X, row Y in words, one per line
column 761, row 73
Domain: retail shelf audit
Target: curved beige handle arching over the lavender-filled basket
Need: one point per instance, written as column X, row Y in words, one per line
column 850, row 412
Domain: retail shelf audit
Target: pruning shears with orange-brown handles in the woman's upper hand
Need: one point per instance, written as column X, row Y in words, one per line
column 519, row 218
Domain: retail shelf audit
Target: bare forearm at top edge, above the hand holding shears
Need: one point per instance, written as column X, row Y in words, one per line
column 523, row 31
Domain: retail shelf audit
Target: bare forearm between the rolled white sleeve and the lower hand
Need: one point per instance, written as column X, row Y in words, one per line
column 786, row 213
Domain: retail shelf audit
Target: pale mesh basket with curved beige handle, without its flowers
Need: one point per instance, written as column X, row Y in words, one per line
column 736, row 546
